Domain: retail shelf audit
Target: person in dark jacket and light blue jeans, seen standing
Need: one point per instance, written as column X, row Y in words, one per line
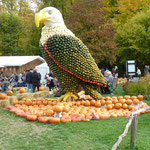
column 29, row 78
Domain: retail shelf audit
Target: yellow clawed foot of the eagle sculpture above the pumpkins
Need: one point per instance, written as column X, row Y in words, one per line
column 68, row 95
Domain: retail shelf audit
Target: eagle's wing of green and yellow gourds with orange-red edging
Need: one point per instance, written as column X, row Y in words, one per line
column 71, row 55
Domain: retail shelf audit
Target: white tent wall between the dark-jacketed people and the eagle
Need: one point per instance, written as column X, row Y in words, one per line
column 43, row 69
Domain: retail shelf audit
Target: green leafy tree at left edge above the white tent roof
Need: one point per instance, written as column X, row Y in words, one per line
column 11, row 29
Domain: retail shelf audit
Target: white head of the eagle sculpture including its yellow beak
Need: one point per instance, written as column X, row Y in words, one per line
column 50, row 16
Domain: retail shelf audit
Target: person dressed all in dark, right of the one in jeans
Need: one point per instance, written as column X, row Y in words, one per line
column 35, row 80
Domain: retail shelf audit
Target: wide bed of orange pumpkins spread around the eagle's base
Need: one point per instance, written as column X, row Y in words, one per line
column 49, row 110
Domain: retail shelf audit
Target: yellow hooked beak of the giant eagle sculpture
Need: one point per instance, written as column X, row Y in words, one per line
column 41, row 17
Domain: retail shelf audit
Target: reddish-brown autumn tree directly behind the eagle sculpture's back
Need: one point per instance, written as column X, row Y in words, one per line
column 88, row 23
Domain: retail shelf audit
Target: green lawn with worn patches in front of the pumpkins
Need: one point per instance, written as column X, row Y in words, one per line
column 18, row 134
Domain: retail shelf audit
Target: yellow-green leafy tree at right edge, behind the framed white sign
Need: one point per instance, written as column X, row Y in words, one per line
column 134, row 39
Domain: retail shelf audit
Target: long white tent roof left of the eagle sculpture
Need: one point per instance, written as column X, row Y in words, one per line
column 19, row 60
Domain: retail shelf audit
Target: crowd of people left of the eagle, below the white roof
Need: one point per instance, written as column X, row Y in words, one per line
column 30, row 79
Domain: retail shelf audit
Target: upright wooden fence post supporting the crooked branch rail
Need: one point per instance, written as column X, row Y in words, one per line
column 133, row 131
